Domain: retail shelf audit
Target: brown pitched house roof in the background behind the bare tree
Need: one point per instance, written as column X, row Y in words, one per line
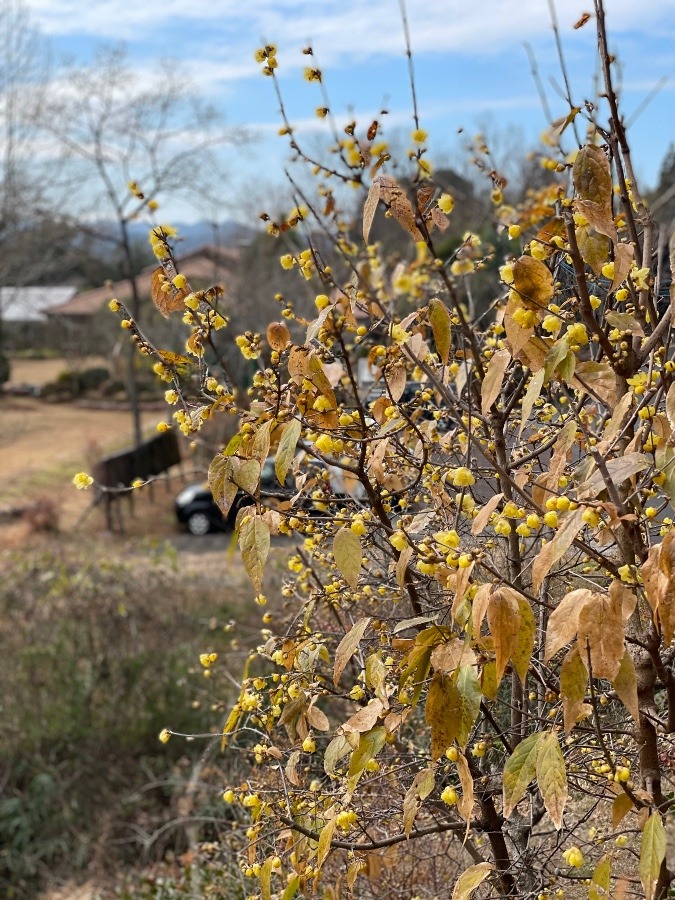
column 205, row 265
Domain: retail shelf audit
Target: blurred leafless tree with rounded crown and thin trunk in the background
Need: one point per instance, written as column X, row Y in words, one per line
column 128, row 139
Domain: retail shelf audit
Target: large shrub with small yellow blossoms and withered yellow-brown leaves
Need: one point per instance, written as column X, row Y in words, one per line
column 471, row 657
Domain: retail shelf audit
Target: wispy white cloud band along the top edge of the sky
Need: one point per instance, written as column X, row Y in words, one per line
column 342, row 30
